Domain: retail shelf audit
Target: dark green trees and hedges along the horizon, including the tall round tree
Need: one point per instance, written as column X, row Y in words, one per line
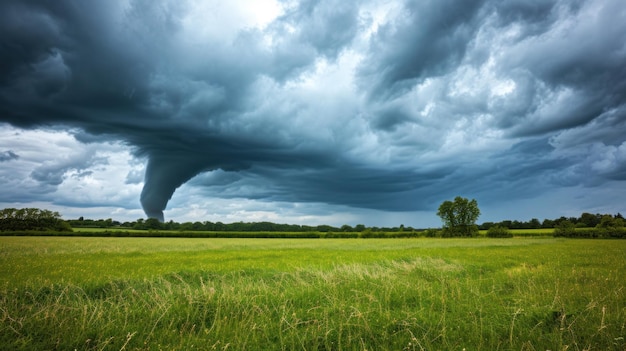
column 458, row 218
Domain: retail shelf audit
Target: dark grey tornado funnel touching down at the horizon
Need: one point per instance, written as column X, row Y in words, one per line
column 164, row 174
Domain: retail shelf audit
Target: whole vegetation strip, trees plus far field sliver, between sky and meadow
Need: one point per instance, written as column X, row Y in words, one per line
column 459, row 221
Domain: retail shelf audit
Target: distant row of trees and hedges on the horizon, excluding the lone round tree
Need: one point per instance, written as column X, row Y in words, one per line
column 33, row 221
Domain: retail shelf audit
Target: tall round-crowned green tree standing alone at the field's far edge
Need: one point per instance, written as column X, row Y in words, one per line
column 459, row 217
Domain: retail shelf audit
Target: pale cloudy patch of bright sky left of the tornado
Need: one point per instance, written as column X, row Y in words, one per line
column 60, row 173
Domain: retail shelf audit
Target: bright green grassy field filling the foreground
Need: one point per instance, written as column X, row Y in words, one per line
column 311, row 294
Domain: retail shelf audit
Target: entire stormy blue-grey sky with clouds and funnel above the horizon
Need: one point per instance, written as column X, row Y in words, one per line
column 313, row 112
